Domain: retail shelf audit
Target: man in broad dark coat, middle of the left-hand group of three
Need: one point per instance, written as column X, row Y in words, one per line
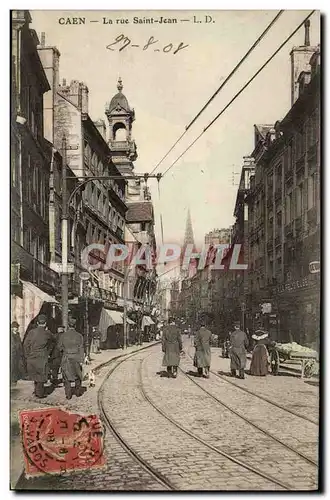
column 37, row 345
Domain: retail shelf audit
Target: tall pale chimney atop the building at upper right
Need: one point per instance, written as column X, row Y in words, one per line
column 300, row 57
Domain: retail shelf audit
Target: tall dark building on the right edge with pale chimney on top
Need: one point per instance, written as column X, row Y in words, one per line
column 285, row 191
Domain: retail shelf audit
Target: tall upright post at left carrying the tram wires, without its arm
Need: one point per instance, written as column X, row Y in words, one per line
column 65, row 217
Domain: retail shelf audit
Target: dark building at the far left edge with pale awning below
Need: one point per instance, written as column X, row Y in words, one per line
column 33, row 282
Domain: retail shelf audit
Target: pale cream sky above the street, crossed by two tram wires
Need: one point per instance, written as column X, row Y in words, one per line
column 168, row 90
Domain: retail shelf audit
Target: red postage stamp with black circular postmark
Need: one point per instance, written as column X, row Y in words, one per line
column 56, row 441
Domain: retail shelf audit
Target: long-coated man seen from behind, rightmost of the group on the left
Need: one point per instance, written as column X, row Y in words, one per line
column 71, row 344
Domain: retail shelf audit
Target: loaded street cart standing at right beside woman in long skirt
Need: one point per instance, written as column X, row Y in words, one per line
column 282, row 353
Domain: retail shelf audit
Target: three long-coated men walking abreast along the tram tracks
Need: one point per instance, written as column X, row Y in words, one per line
column 172, row 349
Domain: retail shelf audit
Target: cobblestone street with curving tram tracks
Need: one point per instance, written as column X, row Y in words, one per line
column 193, row 433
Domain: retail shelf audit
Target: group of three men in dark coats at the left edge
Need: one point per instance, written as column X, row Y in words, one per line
column 42, row 354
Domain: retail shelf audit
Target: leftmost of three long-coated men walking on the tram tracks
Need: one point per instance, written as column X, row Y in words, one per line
column 171, row 347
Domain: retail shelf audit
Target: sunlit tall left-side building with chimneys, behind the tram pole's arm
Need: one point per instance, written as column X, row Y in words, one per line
column 97, row 212
